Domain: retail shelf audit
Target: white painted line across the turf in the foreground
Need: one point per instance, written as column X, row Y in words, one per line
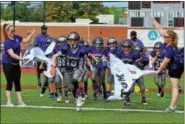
column 94, row 109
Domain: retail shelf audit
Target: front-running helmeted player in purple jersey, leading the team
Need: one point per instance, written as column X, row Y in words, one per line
column 74, row 68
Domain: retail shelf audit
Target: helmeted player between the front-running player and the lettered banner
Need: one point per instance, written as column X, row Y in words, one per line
column 98, row 72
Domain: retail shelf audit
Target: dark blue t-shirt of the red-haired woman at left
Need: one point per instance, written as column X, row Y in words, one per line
column 15, row 46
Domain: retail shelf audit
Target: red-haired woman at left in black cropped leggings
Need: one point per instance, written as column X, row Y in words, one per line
column 11, row 58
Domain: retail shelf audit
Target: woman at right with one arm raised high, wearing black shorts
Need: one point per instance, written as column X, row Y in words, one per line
column 175, row 69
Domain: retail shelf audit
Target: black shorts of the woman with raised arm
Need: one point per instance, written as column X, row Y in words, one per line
column 176, row 73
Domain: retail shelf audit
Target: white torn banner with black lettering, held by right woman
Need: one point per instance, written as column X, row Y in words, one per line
column 124, row 76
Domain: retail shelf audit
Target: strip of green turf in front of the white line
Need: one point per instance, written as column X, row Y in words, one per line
column 70, row 116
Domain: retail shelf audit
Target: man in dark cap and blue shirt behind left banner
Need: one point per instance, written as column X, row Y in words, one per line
column 40, row 41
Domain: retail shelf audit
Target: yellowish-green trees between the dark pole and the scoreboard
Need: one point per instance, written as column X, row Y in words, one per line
column 70, row 11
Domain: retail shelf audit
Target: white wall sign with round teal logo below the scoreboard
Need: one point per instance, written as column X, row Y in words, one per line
column 150, row 37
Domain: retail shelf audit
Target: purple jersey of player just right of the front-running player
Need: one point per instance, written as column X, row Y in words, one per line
column 98, row 54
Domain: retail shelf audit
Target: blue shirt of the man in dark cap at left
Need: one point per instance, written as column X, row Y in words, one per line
column 40, row 41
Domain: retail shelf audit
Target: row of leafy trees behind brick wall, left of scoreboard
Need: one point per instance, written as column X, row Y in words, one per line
column 66, row 11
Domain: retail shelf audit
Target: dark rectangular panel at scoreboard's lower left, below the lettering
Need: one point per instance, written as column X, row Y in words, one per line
column 137, row 22
